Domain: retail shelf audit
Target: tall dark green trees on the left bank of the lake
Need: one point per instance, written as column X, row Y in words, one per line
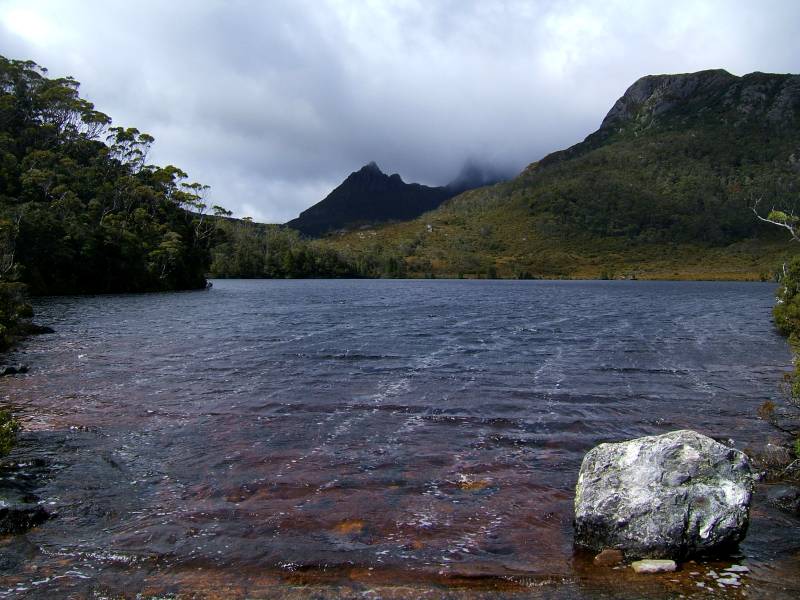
column 81, row 209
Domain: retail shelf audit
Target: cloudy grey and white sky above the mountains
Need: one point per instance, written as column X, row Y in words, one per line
column 273, row 103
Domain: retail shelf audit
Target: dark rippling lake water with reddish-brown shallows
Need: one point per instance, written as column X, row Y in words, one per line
column 414, row 437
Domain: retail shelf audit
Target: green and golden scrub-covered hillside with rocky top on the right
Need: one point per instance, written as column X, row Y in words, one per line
column 663, row 189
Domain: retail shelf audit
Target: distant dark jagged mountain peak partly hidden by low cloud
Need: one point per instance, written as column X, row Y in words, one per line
column 369, row 196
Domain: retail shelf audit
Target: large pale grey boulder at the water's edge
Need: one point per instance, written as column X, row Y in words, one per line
column 663, row 496
